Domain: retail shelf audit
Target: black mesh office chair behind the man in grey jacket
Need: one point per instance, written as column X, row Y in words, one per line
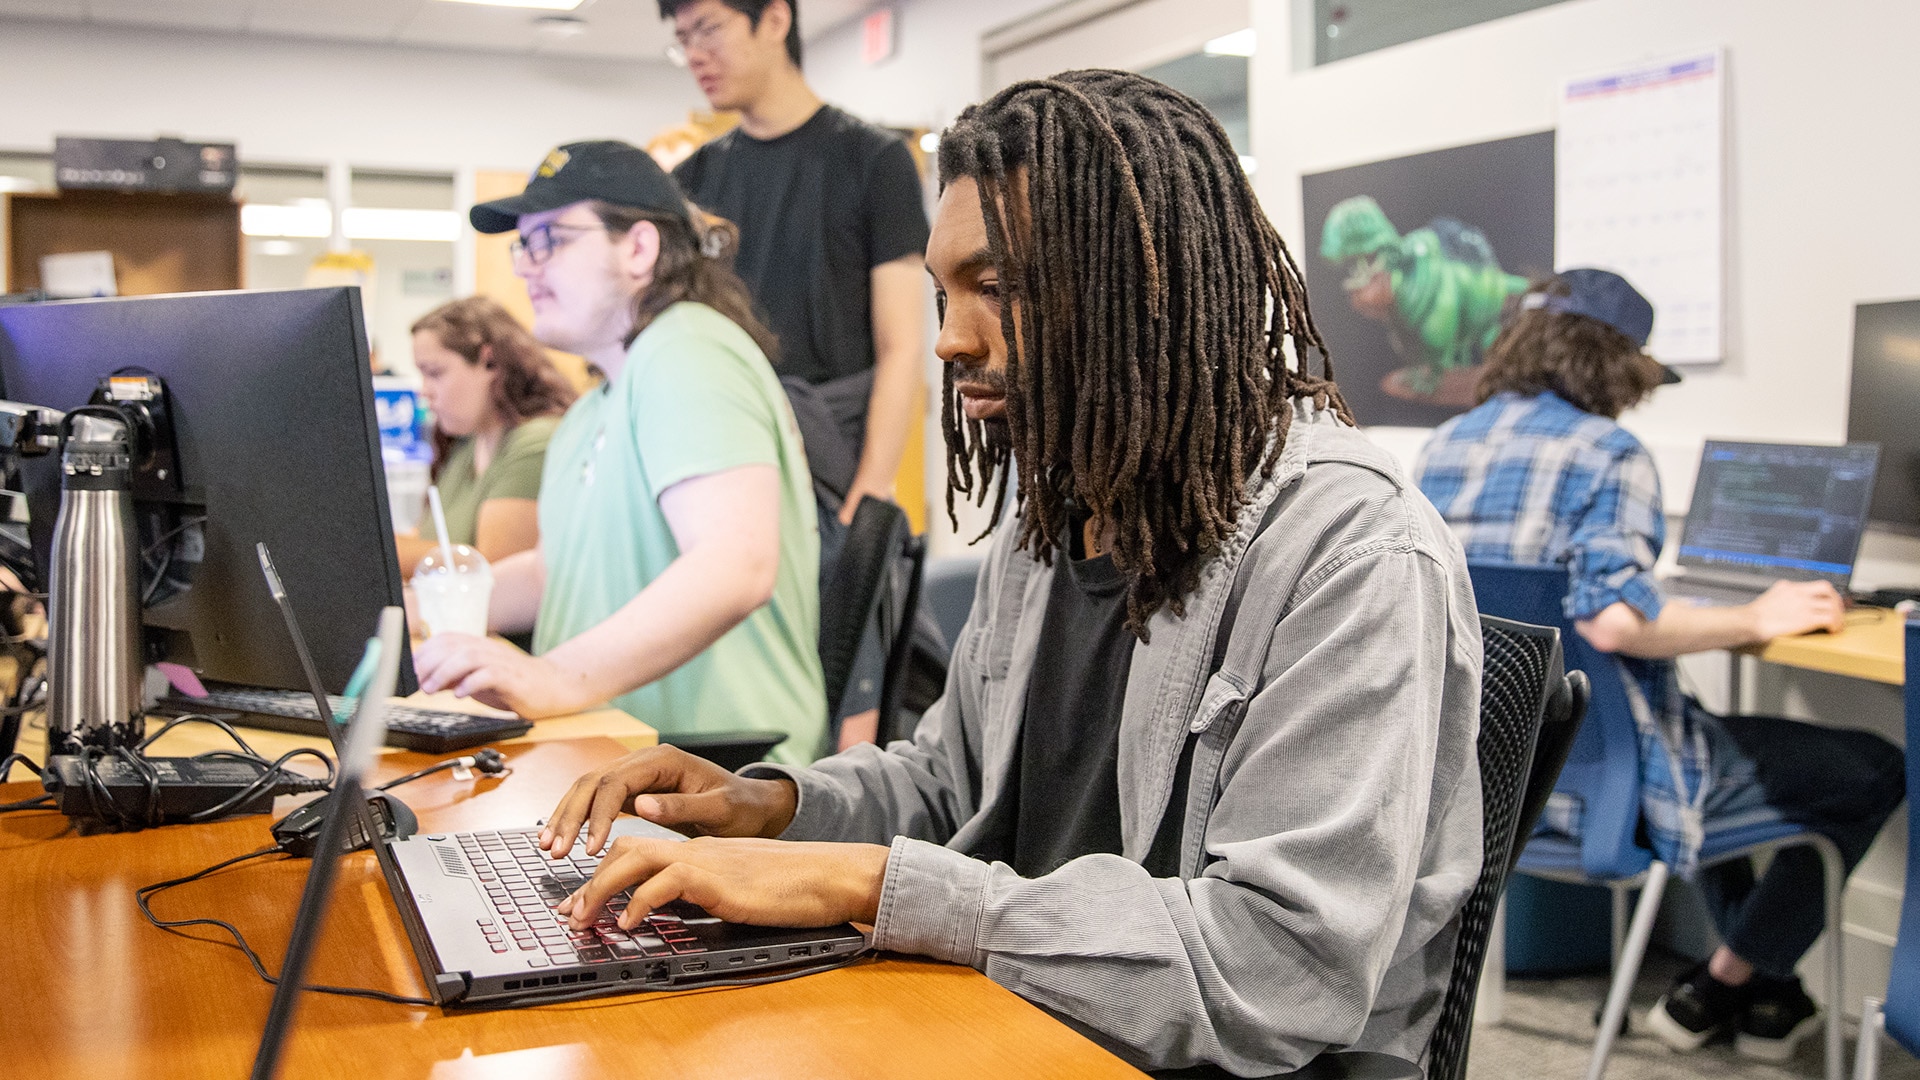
column 1525, row 700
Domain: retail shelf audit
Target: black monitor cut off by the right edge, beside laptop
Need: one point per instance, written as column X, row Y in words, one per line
column 1884, row 406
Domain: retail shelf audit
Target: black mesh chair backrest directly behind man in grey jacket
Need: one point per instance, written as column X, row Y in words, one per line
column 1520, row 670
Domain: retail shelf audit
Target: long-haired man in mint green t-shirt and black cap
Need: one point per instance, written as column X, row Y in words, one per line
column 679, row 558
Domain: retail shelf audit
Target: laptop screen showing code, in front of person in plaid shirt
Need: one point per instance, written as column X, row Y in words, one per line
column 1794, row 512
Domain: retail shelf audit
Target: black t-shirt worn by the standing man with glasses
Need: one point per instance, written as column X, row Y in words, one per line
column 817, row 210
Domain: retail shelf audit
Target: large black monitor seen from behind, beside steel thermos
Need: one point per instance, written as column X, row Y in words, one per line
column 277, row 443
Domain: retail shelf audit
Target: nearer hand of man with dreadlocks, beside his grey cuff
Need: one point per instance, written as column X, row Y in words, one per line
column 767, row 883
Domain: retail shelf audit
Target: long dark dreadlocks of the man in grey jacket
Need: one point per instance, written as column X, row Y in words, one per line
column 1149, row 316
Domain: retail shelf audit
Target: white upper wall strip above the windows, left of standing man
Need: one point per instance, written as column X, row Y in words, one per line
column 293, row 101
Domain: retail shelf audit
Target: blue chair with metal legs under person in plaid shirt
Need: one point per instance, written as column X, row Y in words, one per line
column 1602, row 775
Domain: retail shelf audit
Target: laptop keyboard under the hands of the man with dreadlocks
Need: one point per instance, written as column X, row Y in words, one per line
column 523, row 887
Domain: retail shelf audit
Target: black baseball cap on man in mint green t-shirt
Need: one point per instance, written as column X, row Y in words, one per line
column 606, row 170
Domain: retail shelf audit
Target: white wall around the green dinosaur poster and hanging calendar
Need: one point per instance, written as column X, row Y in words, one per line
column 1821, row 218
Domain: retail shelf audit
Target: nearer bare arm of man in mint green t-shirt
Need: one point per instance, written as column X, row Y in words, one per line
column 727, row 528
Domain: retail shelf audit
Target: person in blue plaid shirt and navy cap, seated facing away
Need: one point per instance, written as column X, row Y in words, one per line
column 1543, row 474
